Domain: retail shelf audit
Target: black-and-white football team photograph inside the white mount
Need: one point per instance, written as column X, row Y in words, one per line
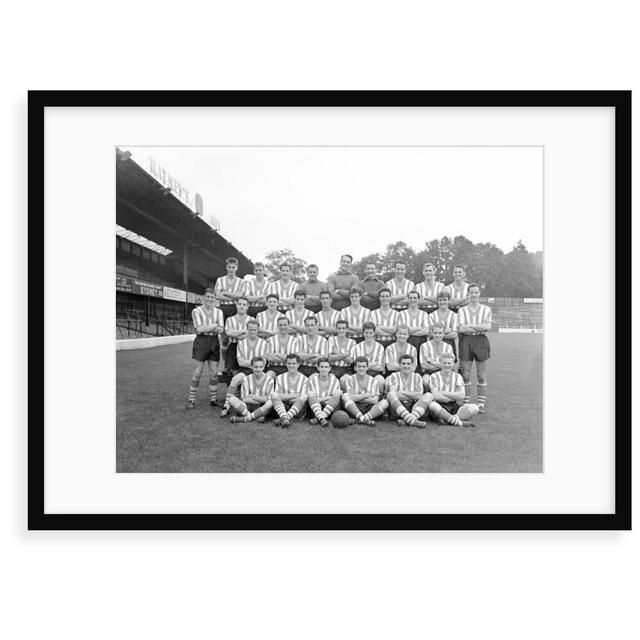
column 327, row 309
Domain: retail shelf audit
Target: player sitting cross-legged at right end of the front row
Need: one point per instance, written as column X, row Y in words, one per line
column 447, row 389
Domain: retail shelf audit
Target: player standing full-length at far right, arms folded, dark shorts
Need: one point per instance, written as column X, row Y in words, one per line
column 475, row 321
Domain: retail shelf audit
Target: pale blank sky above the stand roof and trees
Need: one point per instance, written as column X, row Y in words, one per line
column 325, row 201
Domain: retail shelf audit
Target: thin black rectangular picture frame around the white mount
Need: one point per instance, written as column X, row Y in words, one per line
column 38, row 101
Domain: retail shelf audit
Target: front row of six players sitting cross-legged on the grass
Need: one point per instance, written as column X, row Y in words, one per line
column 405, row 395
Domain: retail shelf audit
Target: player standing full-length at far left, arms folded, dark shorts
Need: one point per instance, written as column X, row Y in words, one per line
column 208, row 323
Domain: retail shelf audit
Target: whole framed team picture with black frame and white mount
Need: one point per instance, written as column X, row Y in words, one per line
column 332, row 310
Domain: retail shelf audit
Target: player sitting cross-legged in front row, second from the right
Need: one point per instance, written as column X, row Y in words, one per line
column 407, row 399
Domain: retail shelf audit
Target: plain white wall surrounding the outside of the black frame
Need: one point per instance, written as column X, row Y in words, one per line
column 170, row 585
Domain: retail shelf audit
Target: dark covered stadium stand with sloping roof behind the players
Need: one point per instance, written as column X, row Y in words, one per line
column 166, row 255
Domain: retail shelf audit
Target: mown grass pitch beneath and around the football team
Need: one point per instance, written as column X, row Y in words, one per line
column 156, row 434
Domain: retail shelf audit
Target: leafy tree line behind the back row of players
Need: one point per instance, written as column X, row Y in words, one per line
column 517, row 274
